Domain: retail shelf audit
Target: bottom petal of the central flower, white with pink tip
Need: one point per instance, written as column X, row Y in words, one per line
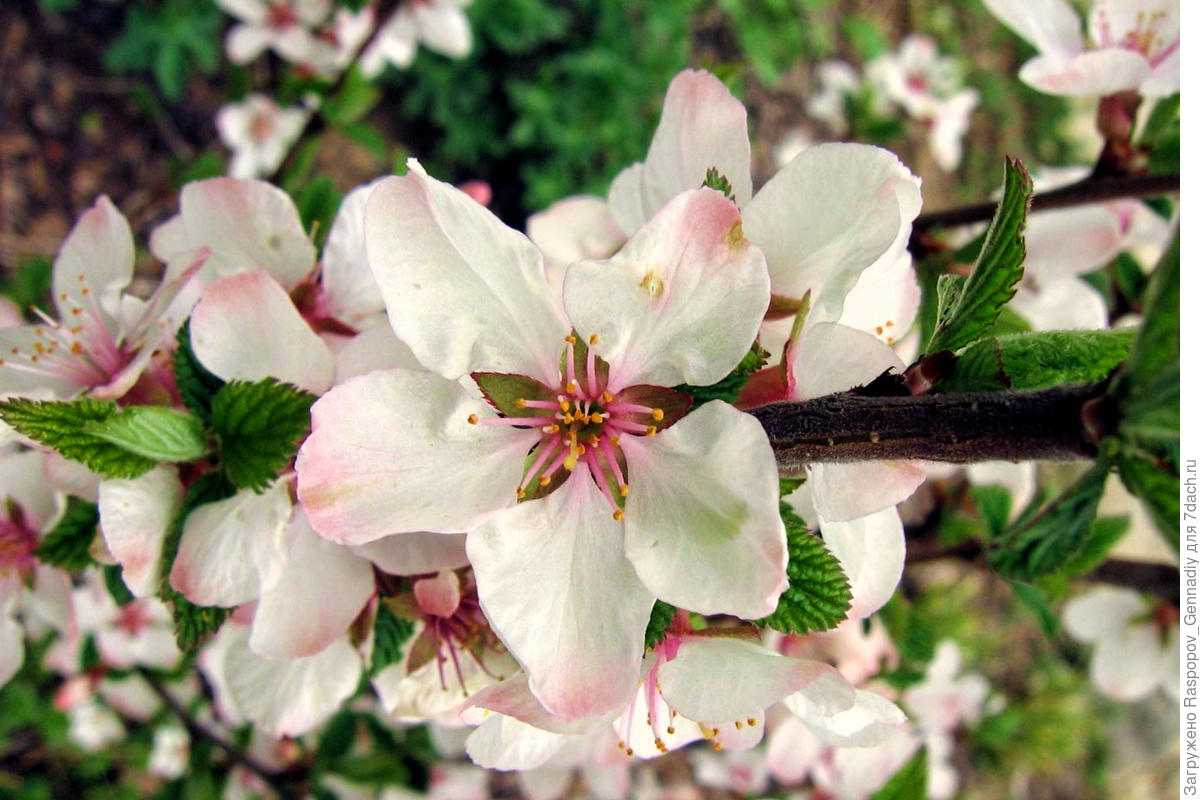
column 555, row 584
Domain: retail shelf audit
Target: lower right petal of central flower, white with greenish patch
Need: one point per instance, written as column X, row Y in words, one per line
column 703, row 524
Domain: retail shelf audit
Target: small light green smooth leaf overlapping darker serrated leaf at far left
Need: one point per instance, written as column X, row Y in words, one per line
column 155, row 432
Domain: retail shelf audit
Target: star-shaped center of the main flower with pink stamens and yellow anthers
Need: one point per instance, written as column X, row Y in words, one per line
column 583, row 422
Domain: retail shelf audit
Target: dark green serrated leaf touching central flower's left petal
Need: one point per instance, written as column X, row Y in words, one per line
column 260, row 426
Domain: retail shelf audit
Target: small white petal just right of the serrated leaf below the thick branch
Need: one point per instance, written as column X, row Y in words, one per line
column 872, row 552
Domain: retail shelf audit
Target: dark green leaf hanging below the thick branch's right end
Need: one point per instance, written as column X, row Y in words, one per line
column 1041, row 545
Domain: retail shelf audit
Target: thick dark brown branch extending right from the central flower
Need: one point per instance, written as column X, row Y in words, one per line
column 1045, row 425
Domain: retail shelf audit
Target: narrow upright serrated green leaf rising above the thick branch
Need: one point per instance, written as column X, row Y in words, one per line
column 998, row 270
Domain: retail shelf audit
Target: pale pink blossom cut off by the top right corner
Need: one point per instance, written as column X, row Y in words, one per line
column 1132, row 45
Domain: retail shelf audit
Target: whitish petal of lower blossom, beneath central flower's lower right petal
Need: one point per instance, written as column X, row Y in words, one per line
column 721, row 679
